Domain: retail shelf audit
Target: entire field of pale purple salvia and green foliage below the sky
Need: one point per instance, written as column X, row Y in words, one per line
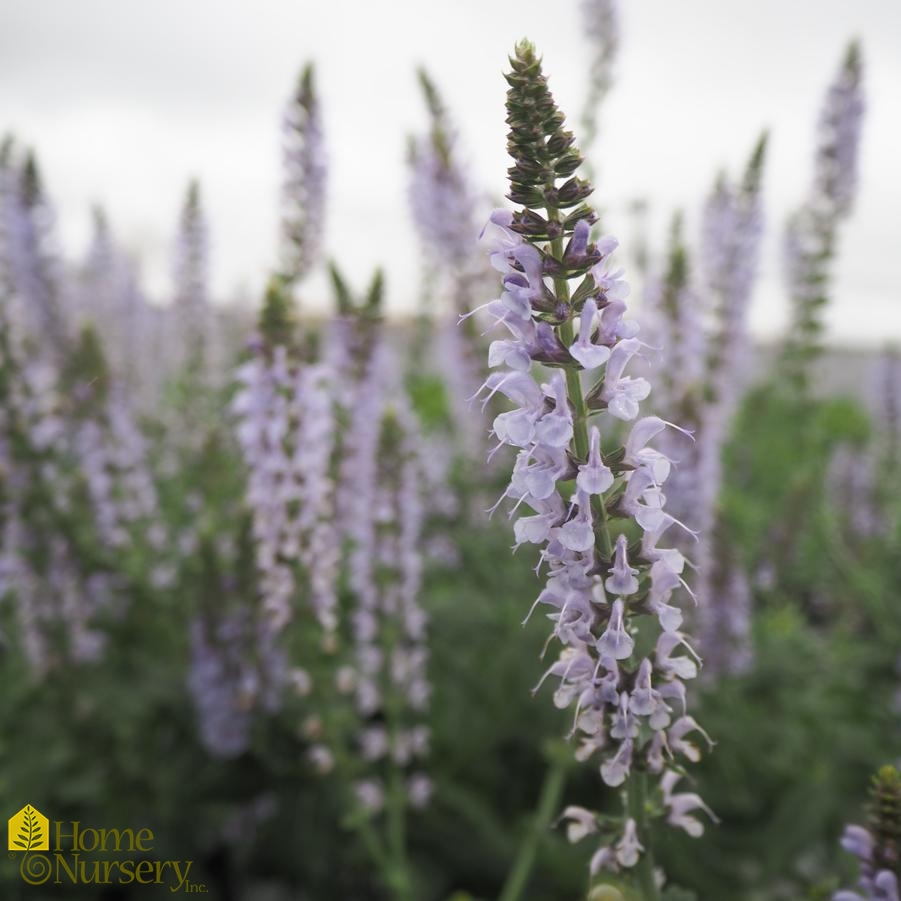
column 258, row 594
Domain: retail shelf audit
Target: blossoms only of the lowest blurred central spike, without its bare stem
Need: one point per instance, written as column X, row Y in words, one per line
column 390, row 654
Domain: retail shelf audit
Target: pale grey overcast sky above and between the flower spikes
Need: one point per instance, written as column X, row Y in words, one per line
column 125, row 101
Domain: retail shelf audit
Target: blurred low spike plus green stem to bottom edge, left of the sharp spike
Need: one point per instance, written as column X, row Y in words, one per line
column 390, row 654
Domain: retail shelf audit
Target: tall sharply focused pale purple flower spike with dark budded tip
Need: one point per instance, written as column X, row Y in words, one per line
column 607, row 590
